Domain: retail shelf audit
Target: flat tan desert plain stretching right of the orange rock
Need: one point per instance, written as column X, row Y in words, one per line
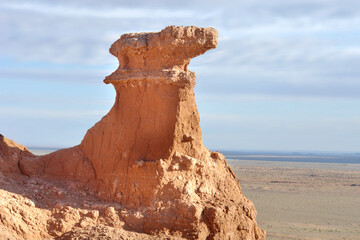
column 303, row 200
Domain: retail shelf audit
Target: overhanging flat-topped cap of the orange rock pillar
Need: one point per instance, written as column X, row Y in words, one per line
column 171, row 48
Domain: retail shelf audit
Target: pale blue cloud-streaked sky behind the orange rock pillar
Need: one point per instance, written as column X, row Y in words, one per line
column 284, row 77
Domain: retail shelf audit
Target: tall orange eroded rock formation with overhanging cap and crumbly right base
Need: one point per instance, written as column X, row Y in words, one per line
column 147, row 153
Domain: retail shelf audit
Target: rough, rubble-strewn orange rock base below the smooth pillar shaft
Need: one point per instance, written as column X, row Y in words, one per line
column 41, row 207
